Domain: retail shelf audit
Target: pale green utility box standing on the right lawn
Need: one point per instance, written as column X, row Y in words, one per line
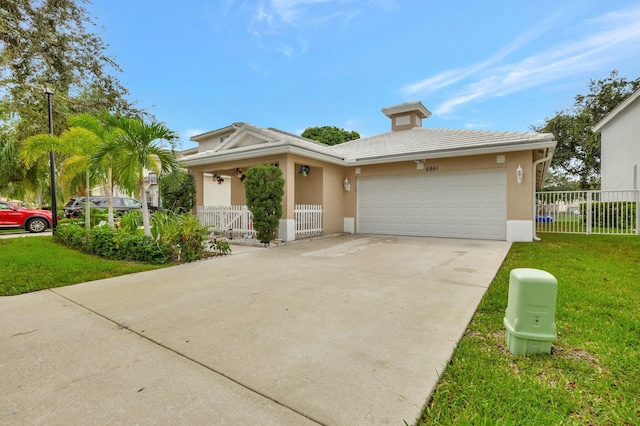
column 531, row 309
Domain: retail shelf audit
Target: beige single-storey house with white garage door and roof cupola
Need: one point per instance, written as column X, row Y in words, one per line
column 410, row 181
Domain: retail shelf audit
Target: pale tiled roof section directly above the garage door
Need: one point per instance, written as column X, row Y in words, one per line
column 421, row 140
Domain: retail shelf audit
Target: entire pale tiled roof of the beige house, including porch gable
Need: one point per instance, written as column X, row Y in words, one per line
column 250, row 141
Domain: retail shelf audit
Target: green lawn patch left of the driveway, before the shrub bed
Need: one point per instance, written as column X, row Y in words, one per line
column 35, row 263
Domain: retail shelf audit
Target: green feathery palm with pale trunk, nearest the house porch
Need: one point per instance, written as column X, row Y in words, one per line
column 135, row 147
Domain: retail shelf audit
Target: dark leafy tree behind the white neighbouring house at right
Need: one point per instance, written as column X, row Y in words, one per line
column 577, row 154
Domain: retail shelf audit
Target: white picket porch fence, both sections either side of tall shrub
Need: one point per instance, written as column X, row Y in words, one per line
column 239, row 220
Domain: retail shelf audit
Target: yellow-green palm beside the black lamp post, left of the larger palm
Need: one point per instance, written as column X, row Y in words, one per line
column 76, row 145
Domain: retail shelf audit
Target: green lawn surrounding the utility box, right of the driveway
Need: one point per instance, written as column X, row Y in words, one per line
column 593, row 373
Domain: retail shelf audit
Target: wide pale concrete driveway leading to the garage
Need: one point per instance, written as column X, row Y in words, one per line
column 338, row 331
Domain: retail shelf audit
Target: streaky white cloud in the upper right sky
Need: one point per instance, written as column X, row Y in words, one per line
column 615, row 34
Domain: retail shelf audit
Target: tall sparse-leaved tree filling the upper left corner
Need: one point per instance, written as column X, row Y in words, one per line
column 47, row 44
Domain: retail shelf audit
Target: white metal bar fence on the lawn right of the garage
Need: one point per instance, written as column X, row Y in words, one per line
column 588, row 212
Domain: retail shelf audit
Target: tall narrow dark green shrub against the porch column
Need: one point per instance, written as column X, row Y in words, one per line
column 264, row 188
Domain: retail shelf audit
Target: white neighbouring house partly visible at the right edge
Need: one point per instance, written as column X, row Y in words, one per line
column 620, row 147
